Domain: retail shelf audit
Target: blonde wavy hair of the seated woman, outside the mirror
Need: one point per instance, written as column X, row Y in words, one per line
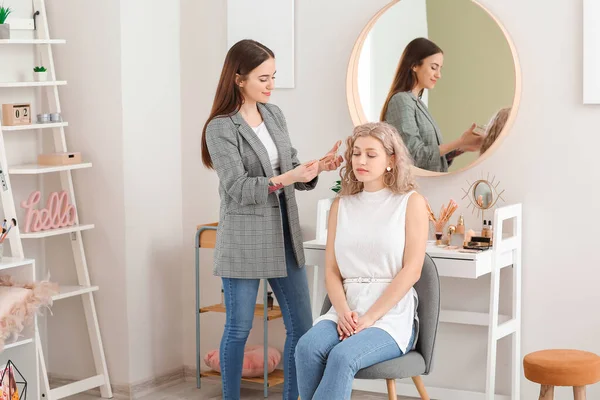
column 400, row 179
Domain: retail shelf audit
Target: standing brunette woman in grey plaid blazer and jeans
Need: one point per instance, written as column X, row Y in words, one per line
column 247, row 142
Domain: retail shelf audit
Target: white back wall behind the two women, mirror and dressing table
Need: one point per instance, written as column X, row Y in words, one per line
column 535, row 165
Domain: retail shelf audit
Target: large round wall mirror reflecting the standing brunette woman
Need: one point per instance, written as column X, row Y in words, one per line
column 443, row 73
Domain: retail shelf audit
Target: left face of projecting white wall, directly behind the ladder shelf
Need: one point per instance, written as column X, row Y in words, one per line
column 91, row 103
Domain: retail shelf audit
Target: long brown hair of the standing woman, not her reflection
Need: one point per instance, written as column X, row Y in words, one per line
column 241, row 59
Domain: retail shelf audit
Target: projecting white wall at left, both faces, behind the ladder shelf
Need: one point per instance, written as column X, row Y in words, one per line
column 123, row 106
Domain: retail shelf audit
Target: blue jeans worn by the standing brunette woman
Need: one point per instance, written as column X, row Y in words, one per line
column 240, row 299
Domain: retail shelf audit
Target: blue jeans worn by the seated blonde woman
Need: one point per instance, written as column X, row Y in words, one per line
column 326, row 366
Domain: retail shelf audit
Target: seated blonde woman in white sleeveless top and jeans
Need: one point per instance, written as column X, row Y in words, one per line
column 377, row 235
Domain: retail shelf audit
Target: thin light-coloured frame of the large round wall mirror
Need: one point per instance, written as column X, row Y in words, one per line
column 358, row 115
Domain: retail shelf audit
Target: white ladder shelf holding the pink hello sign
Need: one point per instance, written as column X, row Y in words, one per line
column 84, row 289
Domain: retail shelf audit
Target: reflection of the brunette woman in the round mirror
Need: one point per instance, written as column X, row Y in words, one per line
column 420, row 67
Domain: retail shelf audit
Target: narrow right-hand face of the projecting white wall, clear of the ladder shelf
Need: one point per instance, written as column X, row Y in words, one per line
column 152, row 165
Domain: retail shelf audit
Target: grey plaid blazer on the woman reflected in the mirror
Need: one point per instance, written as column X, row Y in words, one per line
column 418, row 130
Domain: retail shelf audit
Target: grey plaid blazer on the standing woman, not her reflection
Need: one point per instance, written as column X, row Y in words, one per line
column 250, row 234
